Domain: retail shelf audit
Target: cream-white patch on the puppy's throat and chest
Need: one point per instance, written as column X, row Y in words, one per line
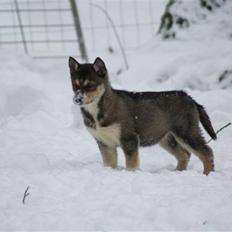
column 109, row 135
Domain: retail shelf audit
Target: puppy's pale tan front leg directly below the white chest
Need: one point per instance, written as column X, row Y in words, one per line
column 109, row 155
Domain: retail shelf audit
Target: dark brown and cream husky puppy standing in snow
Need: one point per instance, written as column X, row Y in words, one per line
column 132, row 119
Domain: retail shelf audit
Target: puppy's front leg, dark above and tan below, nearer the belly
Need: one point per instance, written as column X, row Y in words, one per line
column 130, row 148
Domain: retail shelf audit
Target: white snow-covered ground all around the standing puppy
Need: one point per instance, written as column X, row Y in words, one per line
column 44, row 145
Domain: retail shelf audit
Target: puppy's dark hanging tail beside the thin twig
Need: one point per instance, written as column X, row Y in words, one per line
column 204, row 118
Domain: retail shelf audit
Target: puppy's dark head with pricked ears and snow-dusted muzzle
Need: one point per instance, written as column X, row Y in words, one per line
column 88, row 80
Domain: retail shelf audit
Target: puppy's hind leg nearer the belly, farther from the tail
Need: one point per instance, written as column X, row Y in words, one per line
column 169, row 143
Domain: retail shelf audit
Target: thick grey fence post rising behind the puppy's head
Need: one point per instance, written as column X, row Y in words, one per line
column 78, row 29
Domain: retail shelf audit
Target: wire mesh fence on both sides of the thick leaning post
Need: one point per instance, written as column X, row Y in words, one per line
column 46, row 28
